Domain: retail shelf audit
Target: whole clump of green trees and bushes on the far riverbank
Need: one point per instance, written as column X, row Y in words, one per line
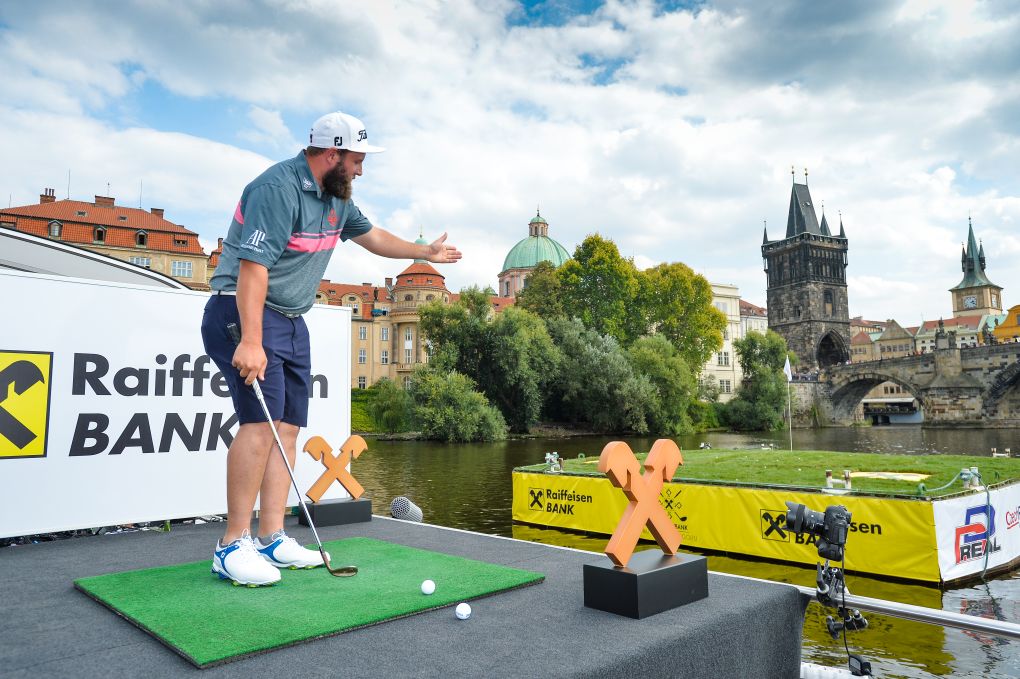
column 595, row 345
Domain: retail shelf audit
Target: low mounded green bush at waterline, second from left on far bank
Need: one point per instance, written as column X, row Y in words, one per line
column 448, row 408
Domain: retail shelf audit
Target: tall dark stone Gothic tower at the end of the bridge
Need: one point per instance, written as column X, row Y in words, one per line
column 807, row 286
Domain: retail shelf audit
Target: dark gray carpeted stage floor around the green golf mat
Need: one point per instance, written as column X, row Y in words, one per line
column 744, row 630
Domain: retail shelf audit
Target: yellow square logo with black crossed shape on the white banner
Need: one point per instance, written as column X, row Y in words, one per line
column 25, row 403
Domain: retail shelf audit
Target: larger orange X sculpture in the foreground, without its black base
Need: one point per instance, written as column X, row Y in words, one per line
column 620, row 464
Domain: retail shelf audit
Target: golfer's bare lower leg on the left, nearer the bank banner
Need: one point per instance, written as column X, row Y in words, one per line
column 246, row 464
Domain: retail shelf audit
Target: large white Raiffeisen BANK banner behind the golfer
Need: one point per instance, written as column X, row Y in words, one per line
column 112, row 413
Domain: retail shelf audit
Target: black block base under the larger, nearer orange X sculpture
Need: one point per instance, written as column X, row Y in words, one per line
column 651, row 584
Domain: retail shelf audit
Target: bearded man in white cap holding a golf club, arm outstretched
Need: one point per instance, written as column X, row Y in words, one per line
column 285, row 229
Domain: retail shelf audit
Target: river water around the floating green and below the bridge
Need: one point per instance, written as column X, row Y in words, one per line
column 469, row 487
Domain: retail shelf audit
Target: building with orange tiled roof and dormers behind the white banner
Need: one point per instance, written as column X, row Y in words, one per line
column 143, row 238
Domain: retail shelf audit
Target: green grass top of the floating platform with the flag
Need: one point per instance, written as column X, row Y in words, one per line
column 807, row 469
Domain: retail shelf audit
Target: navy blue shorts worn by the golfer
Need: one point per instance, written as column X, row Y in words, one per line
column 288, row 375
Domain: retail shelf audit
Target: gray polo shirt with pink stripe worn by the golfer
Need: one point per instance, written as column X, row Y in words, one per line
column 285, row 223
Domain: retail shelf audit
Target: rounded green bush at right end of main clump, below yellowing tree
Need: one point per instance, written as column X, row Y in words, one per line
column 675, row 385
